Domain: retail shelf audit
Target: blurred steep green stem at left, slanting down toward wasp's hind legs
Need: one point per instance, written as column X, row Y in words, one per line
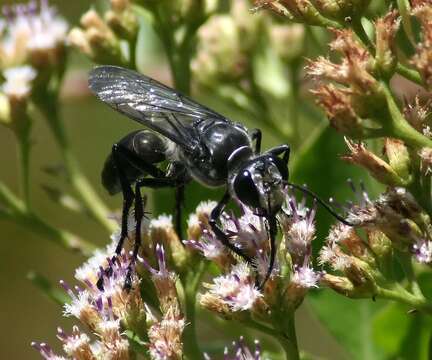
column 84, row 190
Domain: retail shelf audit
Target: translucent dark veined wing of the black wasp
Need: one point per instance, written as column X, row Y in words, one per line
column 150, row 103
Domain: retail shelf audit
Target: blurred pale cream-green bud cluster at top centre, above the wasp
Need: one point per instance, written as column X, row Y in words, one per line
column 228, row 51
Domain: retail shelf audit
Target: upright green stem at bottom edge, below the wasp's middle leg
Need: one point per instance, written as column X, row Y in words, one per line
column 191, row 284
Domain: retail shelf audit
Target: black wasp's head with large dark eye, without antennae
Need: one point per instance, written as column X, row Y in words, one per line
column 260, row 182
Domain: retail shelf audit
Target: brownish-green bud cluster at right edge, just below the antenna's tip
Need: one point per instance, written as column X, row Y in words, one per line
column 392, row 224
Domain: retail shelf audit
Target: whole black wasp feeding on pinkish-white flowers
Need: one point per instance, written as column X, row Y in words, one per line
column 199, row 144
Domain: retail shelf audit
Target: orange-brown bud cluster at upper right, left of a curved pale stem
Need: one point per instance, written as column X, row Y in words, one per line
column 353, row 94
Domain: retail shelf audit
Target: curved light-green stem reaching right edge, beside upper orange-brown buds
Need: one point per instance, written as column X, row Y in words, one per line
column 398, row 127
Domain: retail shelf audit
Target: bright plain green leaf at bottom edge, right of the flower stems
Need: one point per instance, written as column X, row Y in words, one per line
column 349, row 321
